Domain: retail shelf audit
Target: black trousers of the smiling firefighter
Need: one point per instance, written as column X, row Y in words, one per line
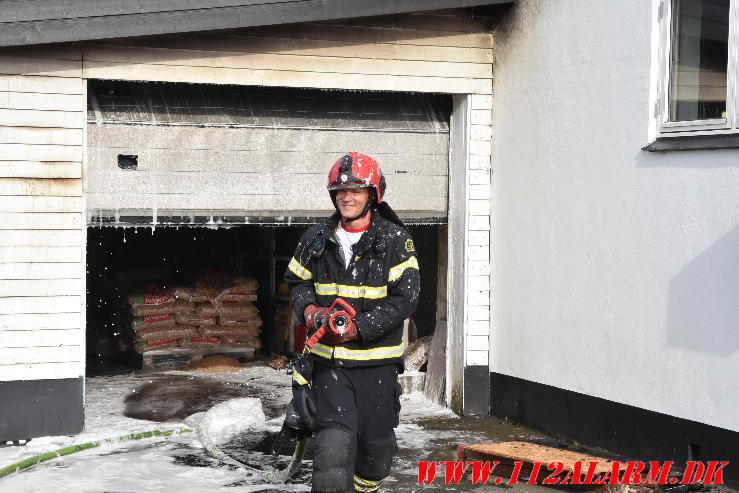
column 357, row 409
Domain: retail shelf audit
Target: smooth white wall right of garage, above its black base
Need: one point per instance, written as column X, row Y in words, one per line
column 615, row 272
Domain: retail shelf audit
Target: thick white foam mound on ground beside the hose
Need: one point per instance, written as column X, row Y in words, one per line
column 228, row 419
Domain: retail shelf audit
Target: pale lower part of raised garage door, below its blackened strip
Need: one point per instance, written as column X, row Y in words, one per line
column 254, row 169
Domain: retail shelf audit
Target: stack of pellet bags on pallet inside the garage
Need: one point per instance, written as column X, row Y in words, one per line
column 215, row 309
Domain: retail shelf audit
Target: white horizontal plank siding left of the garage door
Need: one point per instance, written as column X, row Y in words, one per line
column 42, row 103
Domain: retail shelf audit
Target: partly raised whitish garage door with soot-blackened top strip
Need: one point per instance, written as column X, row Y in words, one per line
column 203, row 149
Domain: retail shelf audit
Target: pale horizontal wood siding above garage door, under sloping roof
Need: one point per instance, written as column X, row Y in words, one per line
column 444, row 53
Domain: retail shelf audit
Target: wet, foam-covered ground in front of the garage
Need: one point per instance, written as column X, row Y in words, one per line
column 135, row 401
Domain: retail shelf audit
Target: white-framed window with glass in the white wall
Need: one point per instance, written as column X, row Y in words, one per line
column 699, row 59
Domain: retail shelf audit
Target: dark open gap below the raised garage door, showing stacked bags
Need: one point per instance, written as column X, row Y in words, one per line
column 184, row 271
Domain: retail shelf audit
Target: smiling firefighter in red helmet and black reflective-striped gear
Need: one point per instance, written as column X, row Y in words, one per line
column 347, row 390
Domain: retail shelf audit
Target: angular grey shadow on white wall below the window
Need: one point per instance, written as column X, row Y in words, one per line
column 703, row 300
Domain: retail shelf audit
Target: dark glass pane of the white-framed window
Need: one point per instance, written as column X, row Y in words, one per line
column 700, row 34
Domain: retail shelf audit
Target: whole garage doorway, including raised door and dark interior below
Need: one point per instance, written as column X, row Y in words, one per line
column 197, row 196
